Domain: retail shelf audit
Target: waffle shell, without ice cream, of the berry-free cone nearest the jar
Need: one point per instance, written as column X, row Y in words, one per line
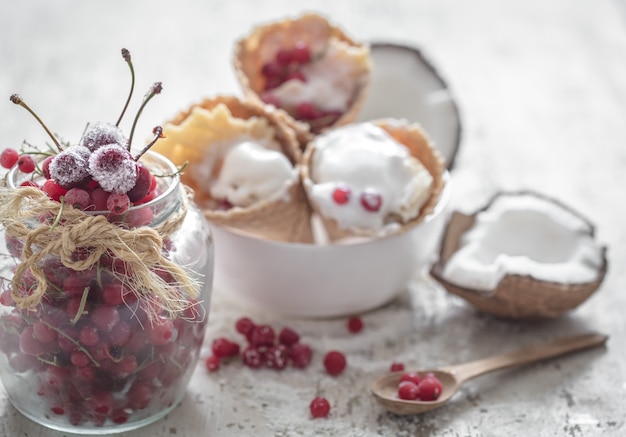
column 282, row 218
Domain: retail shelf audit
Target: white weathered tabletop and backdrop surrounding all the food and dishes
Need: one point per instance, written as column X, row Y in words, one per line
column 542, row 91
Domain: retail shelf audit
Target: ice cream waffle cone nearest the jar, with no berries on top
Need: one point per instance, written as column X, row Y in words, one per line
column 242, row 165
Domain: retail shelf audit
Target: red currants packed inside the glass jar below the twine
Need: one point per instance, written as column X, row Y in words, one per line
column 94, row 350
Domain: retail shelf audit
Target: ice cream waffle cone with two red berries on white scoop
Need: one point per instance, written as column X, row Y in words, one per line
column 372, row 179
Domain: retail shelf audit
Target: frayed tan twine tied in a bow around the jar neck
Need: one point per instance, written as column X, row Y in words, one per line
column 140, row 249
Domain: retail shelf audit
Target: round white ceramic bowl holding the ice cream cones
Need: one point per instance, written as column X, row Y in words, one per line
column 324, row 281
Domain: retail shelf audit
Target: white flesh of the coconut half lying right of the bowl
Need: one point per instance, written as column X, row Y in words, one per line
column 522, row 234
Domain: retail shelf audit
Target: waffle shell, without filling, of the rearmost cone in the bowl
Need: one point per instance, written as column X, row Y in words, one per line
column 262, row 44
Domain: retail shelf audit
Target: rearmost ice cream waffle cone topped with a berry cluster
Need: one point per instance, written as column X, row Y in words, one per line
column 307, row 67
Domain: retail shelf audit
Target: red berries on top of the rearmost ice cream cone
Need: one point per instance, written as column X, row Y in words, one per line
column 287, row 65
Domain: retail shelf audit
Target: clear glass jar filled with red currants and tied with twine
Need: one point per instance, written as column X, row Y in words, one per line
column 100, row 351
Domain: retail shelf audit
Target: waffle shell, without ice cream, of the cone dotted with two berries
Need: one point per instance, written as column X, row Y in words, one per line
column 413, row 137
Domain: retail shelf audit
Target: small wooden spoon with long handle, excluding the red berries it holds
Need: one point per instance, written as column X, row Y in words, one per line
column 385, row 389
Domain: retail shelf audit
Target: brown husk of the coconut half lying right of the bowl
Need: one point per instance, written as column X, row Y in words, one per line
column 516, row 296
